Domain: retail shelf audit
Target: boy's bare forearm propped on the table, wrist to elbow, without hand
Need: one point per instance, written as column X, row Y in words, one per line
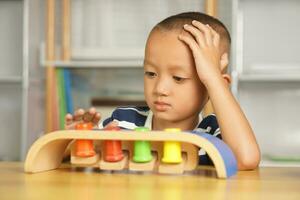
column 235, row 128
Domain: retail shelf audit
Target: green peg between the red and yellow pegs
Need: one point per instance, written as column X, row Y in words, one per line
column 142, row 149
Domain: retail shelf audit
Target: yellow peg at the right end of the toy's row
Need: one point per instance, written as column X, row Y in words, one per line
column 171, row 149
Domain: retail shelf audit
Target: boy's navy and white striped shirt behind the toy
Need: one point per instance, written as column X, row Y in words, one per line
column 132, row 117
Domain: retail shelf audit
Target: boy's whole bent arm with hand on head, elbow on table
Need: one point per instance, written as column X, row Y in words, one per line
column 236, row 131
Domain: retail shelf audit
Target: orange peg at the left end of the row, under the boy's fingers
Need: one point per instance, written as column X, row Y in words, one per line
column 84, row 148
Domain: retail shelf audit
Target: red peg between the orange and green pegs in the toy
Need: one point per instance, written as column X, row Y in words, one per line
column 113, row 148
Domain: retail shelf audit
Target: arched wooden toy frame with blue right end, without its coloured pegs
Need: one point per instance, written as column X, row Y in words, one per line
column 47, row 152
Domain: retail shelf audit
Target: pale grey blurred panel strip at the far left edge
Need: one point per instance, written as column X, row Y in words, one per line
column 11, row 26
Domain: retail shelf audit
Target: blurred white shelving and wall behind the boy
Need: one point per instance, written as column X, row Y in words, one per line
column 105, row 66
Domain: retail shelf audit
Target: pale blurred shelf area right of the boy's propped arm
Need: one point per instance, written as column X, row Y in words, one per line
column 271, row 49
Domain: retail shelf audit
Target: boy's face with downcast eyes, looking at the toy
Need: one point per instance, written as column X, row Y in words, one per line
column 172, row 88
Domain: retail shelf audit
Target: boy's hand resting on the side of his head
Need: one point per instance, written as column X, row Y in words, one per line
column 204, row 43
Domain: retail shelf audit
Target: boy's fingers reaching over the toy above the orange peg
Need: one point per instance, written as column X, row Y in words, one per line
column 82, row 116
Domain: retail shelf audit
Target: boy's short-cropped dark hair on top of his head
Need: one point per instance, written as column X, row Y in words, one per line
column 176, row 22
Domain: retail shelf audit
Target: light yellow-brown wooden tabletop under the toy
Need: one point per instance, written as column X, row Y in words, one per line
column 78, row 183
